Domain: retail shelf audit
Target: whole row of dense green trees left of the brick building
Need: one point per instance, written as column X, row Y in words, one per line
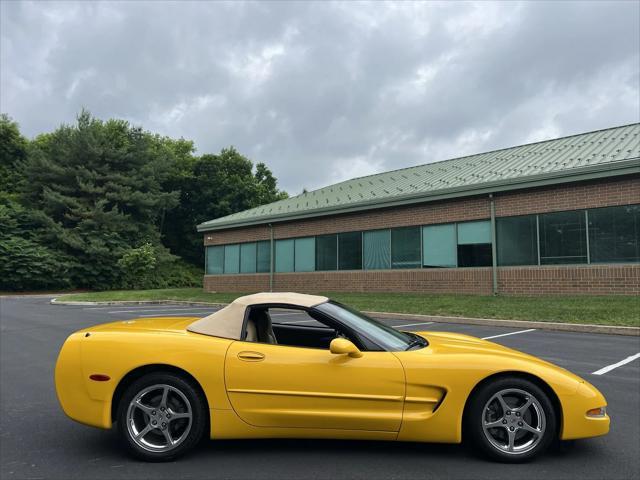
column 104, row 205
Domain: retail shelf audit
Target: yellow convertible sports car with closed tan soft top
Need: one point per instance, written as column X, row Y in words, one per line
column 327, row 372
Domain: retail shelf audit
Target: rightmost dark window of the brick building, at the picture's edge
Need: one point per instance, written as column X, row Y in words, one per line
column 614, row 234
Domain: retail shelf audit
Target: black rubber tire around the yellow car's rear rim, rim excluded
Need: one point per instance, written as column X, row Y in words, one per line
column 198, row 422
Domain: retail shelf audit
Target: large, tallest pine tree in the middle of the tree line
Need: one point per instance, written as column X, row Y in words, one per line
column 99, row 185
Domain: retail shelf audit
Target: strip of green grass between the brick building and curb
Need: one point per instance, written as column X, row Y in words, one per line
column 609, row 310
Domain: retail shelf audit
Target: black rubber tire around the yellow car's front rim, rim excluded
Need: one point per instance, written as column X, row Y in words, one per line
column 475, row 415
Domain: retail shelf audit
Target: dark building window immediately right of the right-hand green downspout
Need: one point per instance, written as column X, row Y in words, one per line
column 517, row 242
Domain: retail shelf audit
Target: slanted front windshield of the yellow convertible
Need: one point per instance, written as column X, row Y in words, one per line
column 383, row 335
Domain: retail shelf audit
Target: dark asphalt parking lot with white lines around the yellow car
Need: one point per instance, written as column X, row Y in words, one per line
column 38, row 441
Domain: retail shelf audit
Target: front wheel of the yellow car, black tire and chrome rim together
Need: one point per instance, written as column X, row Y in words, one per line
column 484, row 408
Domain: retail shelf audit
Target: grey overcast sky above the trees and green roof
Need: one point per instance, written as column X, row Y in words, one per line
column 325, row 92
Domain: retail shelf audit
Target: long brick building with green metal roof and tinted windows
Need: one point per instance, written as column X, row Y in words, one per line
column 554, row 217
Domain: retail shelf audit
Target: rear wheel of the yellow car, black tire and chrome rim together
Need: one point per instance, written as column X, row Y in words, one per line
column 129, row 417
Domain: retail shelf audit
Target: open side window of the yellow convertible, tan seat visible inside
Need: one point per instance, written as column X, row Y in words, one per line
column 294, row 327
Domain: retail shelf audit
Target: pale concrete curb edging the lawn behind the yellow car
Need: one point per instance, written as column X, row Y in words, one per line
column 487, row 322
